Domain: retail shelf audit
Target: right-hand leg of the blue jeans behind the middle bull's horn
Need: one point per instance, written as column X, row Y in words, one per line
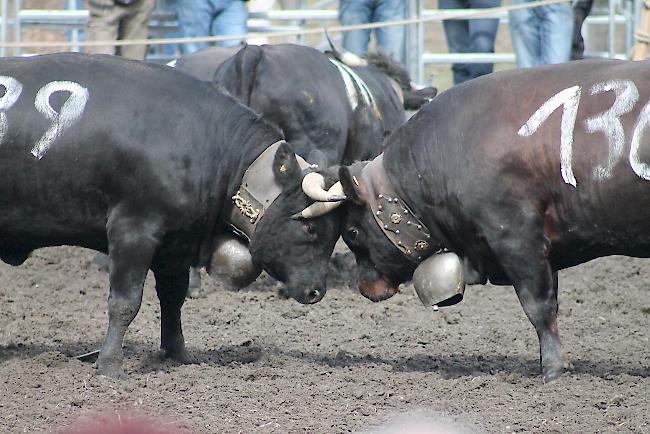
column 391, row 39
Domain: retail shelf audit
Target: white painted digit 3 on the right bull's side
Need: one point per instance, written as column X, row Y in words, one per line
column 609, row 122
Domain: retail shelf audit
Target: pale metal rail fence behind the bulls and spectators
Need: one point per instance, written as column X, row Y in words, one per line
column 620, row 19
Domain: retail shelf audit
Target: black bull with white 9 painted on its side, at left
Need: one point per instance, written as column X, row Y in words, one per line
column 141, row 161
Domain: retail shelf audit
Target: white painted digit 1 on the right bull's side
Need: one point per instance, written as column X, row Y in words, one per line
column 568, row 98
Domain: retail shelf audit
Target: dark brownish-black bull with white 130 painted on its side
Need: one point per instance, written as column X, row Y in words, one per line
column 520, row 174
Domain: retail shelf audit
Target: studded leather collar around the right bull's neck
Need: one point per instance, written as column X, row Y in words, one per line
column 403, row 228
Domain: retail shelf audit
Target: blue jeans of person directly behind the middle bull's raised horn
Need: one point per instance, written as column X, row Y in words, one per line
column 389, row 39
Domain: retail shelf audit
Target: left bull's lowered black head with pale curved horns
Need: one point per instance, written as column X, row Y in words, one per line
column 293, row 241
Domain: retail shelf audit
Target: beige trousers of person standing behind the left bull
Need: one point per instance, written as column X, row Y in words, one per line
column 112, row 20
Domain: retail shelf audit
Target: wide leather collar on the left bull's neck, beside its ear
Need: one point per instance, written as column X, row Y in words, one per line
column 256, row 193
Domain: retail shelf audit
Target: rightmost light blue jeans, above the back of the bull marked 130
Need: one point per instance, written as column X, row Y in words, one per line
column 541, row 35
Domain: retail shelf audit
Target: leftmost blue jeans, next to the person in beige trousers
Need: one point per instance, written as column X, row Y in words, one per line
column 210, row 18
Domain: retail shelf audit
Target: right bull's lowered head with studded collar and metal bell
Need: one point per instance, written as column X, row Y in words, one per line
column 392, row 245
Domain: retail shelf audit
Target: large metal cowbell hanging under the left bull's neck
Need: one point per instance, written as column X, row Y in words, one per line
column 232, row 262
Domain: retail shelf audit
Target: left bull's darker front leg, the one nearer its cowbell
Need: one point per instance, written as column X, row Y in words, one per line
column 171, row 287
